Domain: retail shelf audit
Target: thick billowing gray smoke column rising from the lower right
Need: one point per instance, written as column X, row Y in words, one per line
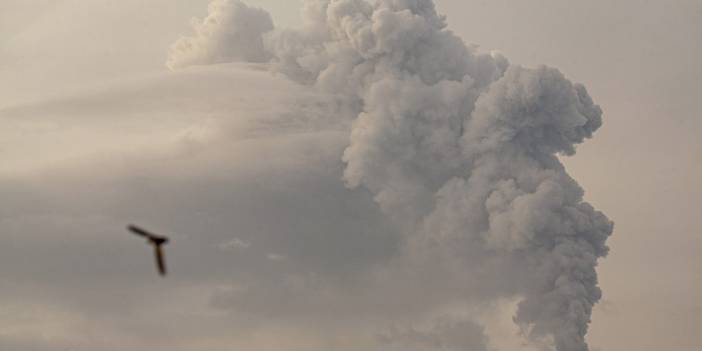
column 459, row 146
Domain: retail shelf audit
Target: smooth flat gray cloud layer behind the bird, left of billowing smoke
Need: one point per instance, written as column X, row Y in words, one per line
column 265, row 175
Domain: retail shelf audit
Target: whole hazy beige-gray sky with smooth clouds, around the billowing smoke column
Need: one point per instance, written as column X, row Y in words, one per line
column 246, row 170
